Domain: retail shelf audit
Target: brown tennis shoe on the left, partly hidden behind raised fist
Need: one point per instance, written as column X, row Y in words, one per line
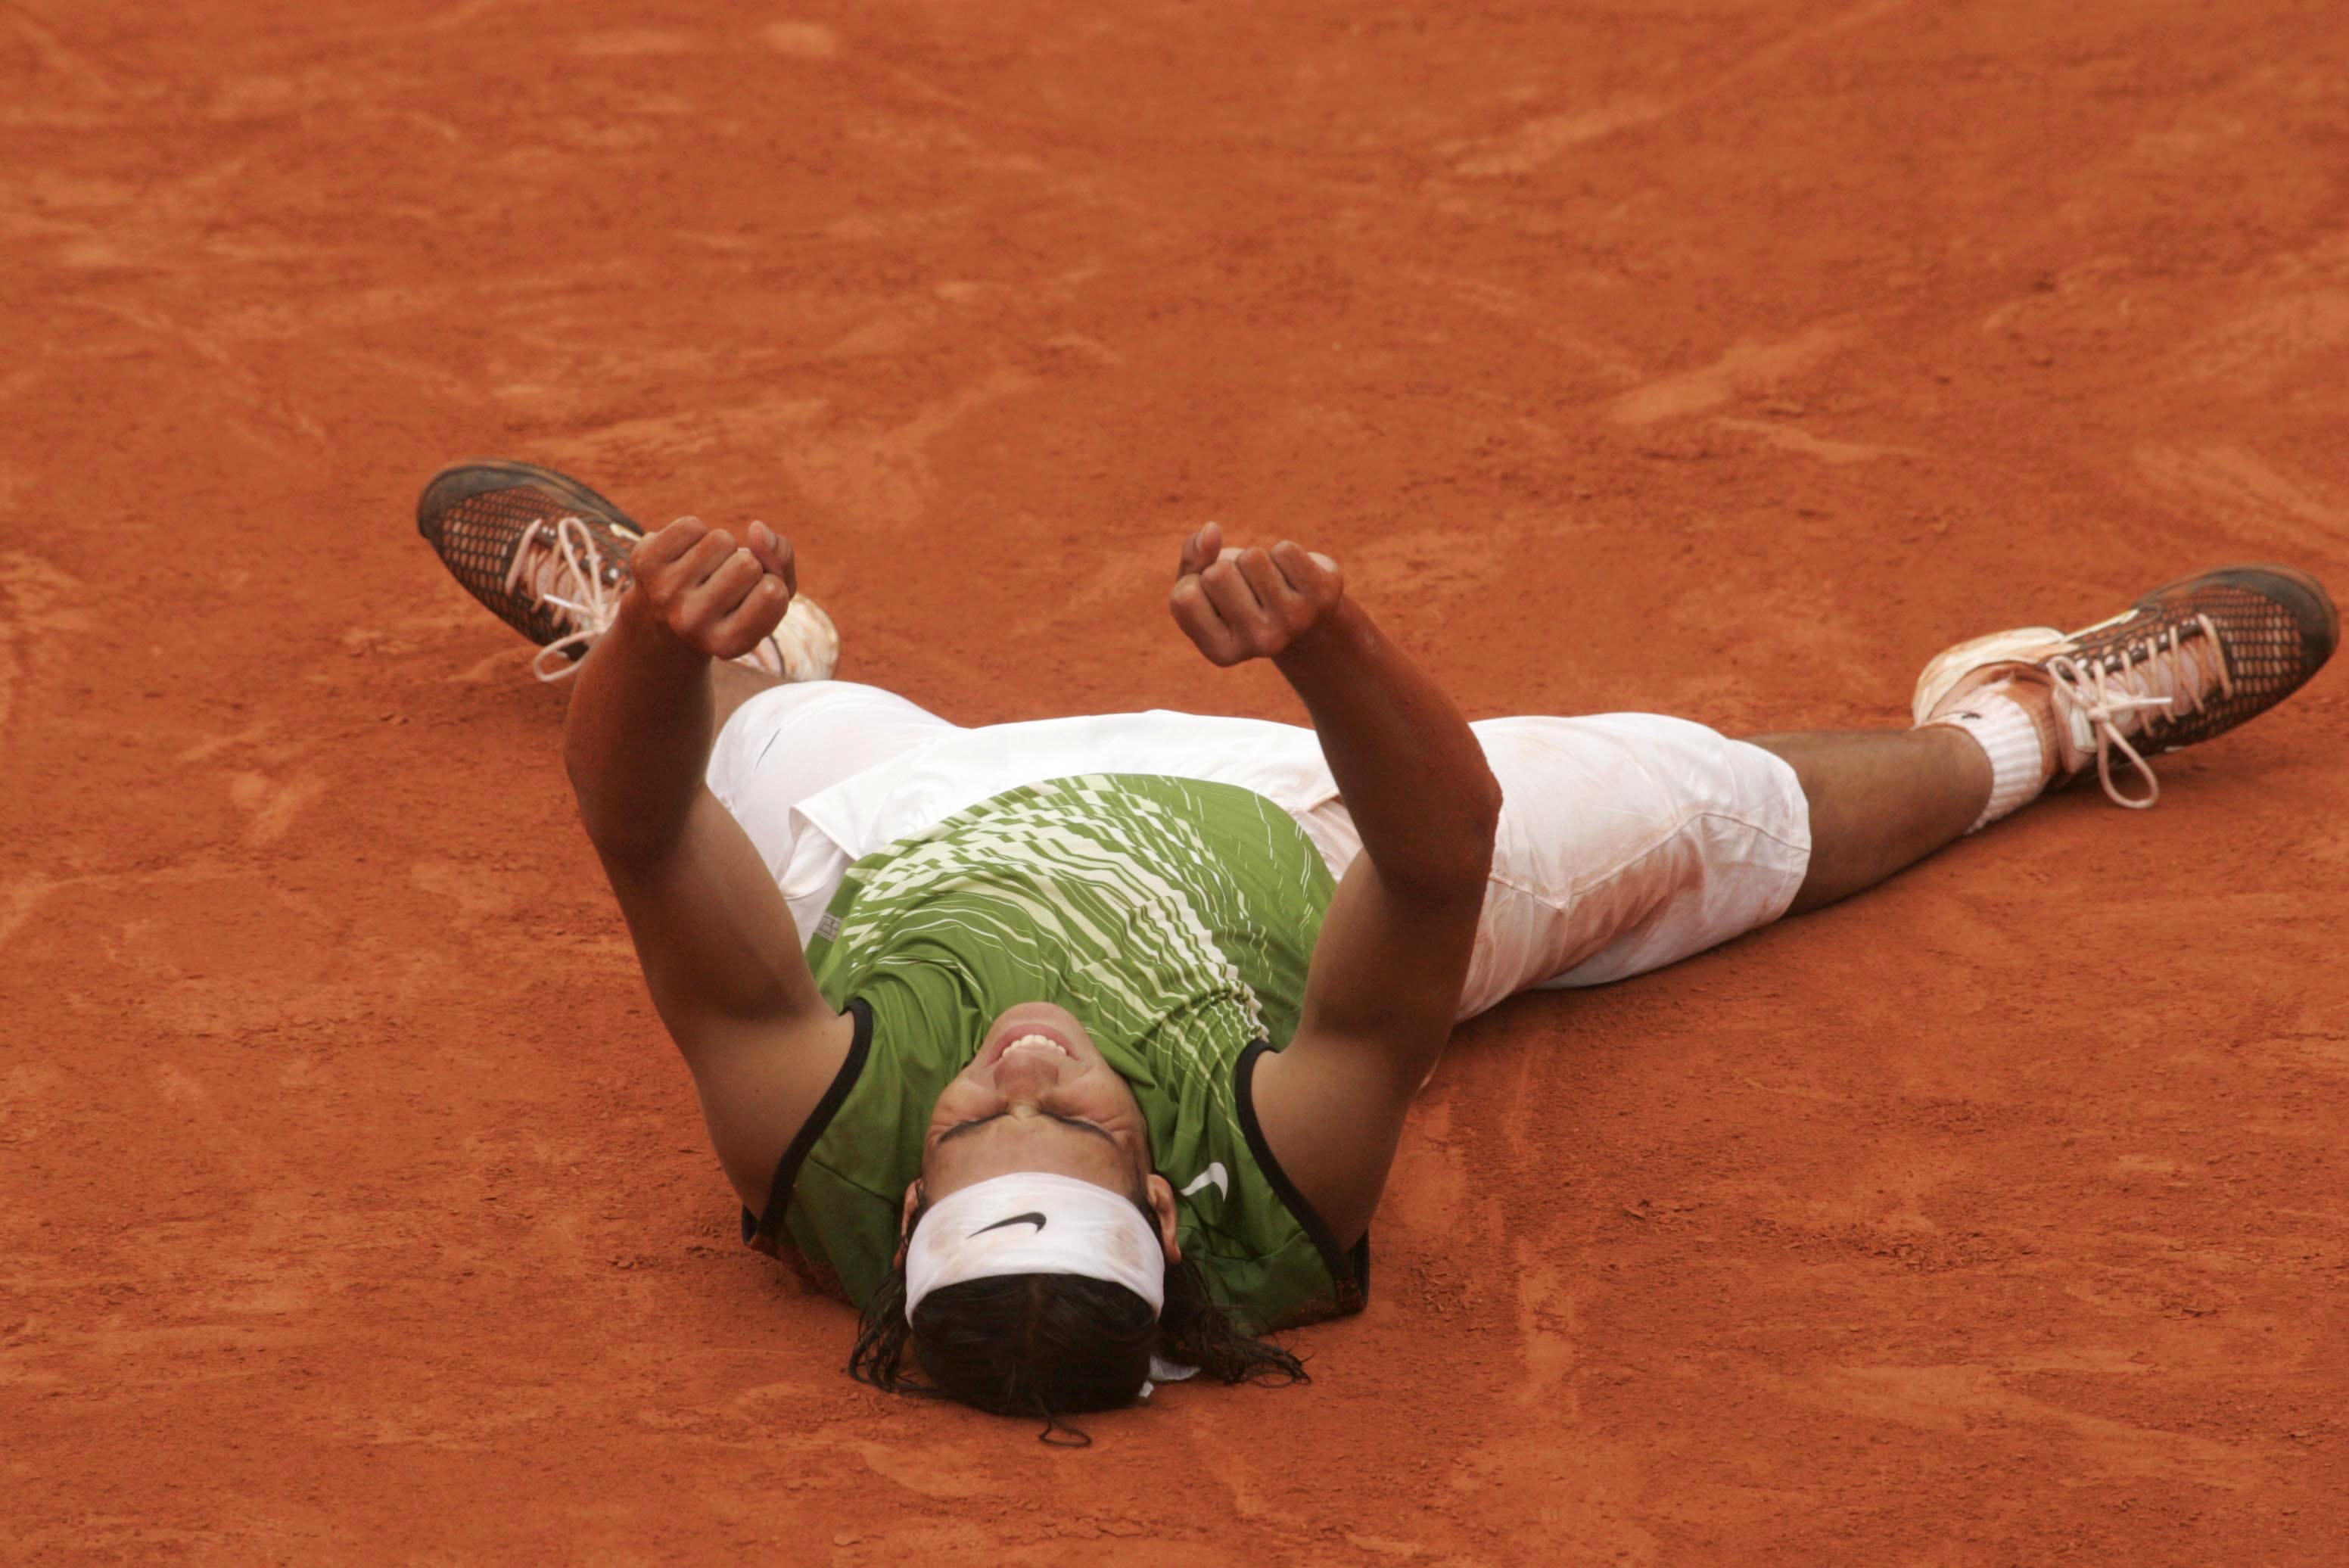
column 548, row 557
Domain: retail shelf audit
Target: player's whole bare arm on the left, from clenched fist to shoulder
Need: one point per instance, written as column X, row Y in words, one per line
column 713, row 933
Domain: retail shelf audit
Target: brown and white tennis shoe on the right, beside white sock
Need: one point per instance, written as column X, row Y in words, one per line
column 2188, row 663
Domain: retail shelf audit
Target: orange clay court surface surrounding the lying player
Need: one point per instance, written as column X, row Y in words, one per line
column 1723, row 358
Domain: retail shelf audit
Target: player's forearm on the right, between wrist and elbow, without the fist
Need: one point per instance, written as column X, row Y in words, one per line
column 1408, row 764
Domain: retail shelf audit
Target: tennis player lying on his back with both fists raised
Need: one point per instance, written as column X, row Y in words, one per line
column 1075, row 1053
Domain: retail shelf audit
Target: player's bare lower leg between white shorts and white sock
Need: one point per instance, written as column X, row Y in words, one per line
column 1880, row 802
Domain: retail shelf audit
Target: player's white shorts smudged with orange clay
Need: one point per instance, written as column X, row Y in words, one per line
column 1627, row 842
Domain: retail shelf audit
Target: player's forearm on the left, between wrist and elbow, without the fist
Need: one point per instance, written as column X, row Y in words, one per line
column 638, row 738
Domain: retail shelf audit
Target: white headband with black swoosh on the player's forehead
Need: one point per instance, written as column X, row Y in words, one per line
column 1035, row 1224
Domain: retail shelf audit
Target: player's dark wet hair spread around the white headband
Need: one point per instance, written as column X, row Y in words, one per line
column 1054, row 1346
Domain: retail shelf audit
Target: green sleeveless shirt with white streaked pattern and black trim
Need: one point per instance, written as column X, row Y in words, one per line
column 1176, row 919
